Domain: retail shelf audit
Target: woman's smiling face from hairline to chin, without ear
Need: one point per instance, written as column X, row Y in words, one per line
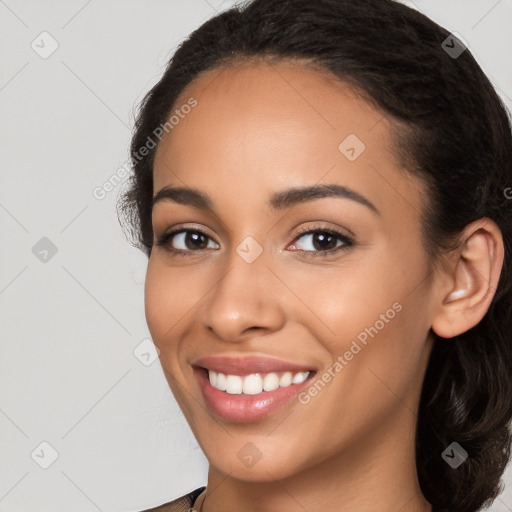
column 259, row 293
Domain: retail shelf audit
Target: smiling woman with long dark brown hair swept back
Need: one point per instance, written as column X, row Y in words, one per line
column 321, row 189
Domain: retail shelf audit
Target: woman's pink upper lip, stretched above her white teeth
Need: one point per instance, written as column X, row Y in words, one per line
column 244, row 365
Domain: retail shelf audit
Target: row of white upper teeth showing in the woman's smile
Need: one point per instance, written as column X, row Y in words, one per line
column 254, row 383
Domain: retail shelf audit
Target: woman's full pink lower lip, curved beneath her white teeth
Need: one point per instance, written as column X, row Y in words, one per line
column 246, row 408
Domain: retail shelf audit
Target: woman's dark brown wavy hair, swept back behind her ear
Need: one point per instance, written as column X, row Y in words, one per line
column 455, row 136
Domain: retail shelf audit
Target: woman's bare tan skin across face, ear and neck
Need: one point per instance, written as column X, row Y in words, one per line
column 259, row 128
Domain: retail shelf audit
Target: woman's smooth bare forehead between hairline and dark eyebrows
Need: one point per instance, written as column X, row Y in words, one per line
column 264, row 126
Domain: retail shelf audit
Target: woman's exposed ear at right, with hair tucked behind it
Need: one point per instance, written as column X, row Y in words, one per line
column 469, row 282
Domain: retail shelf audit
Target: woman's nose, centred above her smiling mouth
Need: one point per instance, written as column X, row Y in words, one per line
column 245, row 299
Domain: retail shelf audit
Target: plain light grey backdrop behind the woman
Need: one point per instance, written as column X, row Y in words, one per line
column 87, row 421
